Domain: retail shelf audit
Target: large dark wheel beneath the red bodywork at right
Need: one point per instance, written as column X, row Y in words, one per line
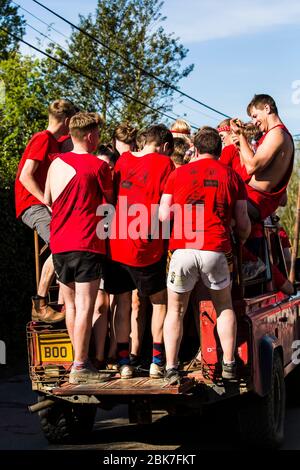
column 261, row 419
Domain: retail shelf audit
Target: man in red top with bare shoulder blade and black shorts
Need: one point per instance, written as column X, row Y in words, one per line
column 77, row 185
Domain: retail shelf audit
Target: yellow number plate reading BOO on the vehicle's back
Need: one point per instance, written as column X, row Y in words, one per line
column 55, row 348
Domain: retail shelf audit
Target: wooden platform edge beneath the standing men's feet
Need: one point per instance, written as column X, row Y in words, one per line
column 134, row 386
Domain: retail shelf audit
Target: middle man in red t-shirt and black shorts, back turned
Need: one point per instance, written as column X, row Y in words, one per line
column 136, row 247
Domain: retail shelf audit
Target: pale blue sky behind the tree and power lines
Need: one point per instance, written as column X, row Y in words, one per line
column 239, row 48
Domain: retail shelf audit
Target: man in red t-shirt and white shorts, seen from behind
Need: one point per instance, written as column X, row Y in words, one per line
column 205, row 196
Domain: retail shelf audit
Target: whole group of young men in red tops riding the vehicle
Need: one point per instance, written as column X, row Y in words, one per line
column 116, row 210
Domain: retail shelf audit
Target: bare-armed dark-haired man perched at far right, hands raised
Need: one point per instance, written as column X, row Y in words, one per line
column 271, row 166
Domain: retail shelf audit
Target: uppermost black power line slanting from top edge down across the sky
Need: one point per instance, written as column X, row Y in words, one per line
column 145, row 72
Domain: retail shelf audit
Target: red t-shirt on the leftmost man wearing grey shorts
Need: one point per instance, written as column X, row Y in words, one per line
column 40, row 146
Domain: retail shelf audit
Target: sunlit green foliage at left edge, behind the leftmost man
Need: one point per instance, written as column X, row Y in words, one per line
column 23, row 111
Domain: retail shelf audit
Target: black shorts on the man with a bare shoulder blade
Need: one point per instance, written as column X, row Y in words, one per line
column 78, row 266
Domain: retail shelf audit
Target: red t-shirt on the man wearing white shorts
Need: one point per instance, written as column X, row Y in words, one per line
column 209, row 186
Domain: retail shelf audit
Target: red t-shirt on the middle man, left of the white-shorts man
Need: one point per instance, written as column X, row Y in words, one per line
column 141, row 180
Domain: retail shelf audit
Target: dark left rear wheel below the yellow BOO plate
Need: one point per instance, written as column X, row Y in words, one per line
column 65, row 423
